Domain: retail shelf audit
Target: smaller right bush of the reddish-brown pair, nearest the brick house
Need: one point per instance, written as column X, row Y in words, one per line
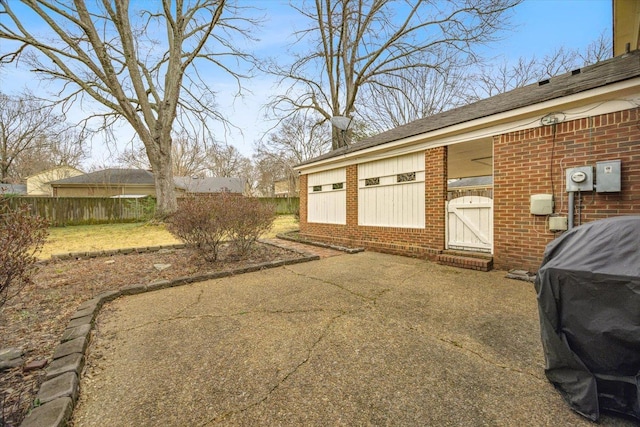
column 251, row 218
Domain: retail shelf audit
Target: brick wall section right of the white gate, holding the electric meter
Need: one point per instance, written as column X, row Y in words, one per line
column 534, row 161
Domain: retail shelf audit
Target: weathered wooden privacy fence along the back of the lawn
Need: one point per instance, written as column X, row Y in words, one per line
column 61, row 211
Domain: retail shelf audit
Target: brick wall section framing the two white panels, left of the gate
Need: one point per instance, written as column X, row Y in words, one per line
column 423, row 243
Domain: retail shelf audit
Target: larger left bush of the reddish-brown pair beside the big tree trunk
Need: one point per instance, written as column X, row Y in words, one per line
column 200, row 222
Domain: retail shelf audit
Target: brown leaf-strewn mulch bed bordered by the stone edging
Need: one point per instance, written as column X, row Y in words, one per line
column 35, row 319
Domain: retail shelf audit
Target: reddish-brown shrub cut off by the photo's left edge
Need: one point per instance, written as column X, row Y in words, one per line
column 21, row 238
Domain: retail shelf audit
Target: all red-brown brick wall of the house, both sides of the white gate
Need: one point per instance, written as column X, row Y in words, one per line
column 525, row 162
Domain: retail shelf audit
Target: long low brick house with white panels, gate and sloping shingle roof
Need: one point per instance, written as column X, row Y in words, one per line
column 389, row 192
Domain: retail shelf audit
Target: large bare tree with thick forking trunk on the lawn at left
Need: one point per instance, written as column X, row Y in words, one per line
column 140, row 65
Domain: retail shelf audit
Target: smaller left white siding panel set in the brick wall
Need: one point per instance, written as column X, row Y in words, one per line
column 328, row 205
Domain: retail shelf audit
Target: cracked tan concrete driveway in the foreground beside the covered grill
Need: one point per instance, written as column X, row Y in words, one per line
column 365, row 339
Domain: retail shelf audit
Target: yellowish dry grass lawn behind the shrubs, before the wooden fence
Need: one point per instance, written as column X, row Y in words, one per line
column 84, row 238
